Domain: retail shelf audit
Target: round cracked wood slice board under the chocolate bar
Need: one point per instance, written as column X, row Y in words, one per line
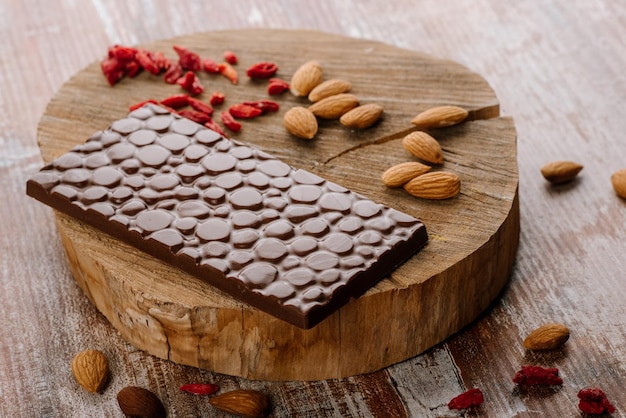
column 463, row 268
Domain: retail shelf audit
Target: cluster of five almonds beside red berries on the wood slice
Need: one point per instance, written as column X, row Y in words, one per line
column 330, row 100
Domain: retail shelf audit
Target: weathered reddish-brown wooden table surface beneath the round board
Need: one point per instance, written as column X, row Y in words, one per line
column 558, row 69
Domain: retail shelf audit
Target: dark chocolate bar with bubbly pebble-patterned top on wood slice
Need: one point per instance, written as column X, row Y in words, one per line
column 281, row 239
